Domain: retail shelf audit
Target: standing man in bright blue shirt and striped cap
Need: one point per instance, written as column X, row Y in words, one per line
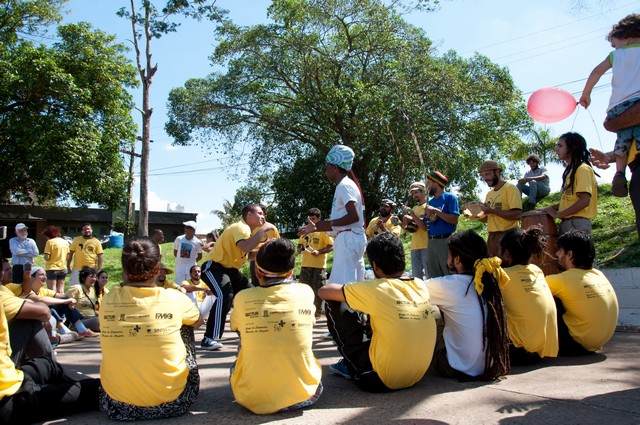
column 441, row 219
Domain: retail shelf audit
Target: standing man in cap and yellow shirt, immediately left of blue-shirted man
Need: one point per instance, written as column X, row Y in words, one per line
column 419, row 238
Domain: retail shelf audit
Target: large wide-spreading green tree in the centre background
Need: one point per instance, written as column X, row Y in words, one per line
column 353, row 72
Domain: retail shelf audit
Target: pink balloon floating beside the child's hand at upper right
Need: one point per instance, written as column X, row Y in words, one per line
column 550, row 104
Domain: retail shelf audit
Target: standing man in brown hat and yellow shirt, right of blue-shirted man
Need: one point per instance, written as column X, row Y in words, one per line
column 502, row 206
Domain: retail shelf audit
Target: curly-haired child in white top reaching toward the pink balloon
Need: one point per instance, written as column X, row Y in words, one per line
column 625, row 89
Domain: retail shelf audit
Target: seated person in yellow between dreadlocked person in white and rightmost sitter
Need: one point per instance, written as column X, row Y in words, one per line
column 528, row 302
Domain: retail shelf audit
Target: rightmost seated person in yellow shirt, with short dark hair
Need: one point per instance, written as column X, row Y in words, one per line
column 585, row 300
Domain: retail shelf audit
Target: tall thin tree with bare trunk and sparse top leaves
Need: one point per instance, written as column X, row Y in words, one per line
column 148, row 23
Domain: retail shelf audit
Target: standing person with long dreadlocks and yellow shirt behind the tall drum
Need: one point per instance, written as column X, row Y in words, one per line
column 579, row 200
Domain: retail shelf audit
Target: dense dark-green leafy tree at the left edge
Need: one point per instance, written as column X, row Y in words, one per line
column 64, row 111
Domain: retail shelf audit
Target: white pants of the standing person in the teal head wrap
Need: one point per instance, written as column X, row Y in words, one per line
column 348, row 261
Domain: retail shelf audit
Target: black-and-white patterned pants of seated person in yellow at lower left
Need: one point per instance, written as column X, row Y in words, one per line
column 119, row 411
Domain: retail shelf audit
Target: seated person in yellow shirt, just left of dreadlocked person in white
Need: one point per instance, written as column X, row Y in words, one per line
column 403, row 329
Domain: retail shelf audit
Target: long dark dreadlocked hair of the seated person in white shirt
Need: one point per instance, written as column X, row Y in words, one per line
column 469, row 247
